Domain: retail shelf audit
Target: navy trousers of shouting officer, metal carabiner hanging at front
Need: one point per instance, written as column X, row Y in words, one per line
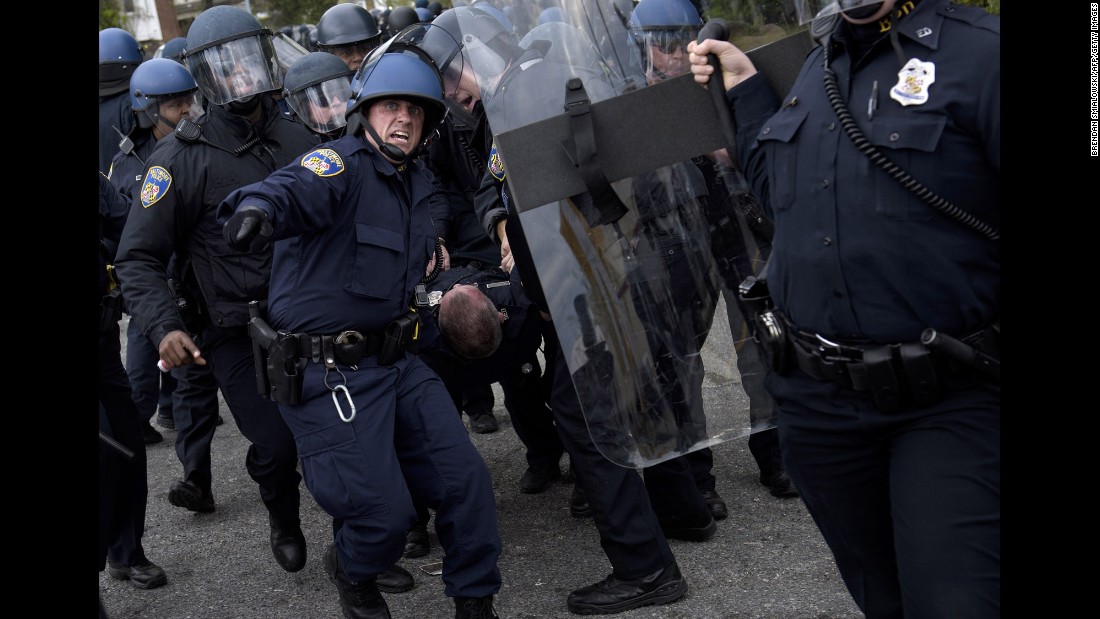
column 406, row 440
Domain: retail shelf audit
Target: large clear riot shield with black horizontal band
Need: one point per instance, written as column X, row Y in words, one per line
column 639, row 231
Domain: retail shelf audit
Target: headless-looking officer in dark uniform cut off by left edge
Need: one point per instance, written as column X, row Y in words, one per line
column 124, row 485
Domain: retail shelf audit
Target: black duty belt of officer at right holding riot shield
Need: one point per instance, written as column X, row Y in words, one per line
column 895, row 372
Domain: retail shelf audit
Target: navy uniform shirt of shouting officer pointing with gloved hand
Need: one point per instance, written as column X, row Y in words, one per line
column 357, row 237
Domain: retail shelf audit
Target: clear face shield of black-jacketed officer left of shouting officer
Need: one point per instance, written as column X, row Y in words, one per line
column 238, row 70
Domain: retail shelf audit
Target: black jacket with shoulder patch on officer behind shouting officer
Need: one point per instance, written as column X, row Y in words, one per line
column 185, row 182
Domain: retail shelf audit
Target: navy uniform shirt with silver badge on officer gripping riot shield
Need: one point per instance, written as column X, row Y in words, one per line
column 856, row 256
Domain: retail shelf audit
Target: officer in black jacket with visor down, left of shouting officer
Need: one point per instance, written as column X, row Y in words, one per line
column 241, row 139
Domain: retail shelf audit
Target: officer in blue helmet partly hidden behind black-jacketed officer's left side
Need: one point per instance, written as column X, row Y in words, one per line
column 162, row 93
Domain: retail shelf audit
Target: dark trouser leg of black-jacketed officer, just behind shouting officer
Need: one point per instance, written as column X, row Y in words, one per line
column 272, row 460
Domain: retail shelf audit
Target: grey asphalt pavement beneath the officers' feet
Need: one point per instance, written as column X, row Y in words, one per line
column 767, row 561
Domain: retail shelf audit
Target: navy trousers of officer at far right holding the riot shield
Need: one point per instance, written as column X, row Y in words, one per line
column 909, row 502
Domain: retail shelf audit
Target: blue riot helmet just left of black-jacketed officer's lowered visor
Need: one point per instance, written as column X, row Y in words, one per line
column 163, row 92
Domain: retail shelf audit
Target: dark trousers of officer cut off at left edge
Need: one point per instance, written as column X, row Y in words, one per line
column 124, row 487
